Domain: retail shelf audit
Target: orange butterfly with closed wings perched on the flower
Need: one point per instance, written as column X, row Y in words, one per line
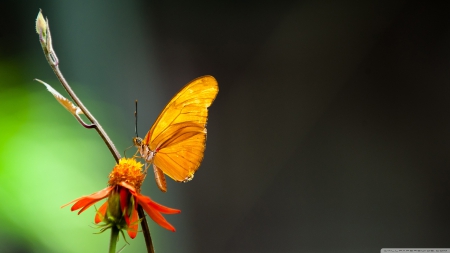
column 176, row 142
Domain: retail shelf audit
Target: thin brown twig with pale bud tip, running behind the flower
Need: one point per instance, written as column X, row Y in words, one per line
column 47, row 46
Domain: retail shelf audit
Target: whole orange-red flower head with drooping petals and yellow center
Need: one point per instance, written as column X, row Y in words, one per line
column 124, row 196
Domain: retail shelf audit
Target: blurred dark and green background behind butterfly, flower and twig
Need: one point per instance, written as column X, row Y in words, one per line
column 330, row 132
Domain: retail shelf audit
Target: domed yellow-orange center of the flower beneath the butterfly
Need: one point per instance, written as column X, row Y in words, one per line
column 128, row 170
